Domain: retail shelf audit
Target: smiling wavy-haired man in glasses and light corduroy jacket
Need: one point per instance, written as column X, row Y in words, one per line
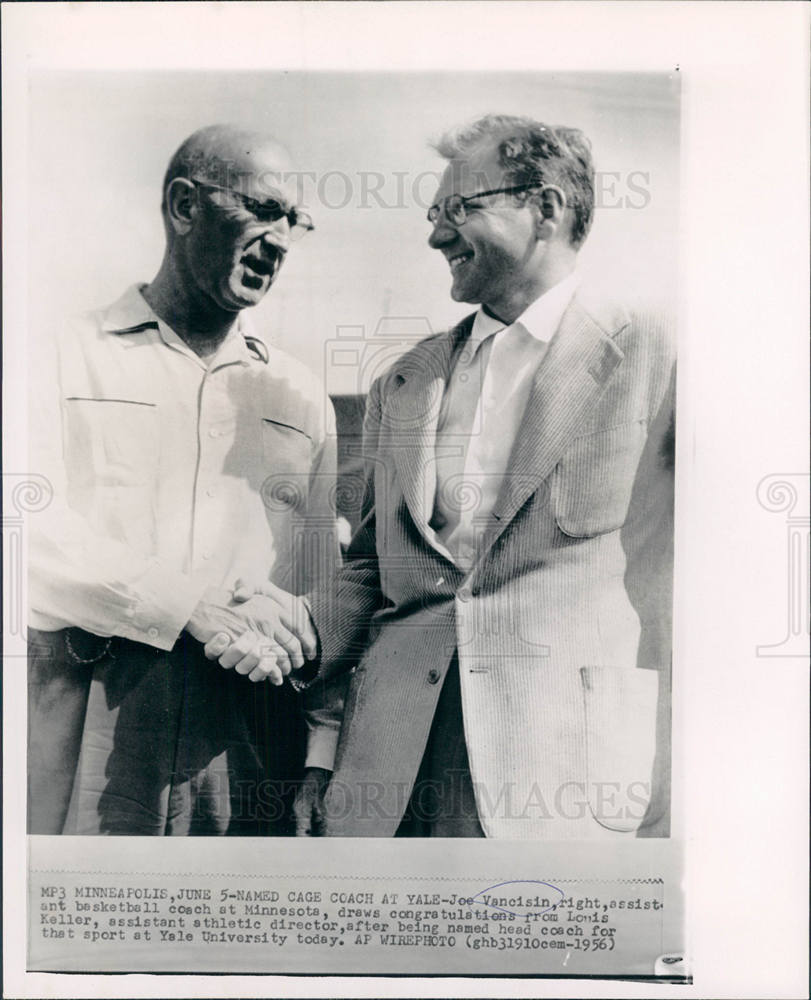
column 504, row 609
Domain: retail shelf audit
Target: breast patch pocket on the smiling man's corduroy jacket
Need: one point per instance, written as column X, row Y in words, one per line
column 592, row 484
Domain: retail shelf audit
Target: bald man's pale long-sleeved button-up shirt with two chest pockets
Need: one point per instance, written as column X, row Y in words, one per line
column 171, row 474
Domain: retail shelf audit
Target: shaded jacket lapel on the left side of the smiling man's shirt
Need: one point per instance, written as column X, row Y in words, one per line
column 412, row 414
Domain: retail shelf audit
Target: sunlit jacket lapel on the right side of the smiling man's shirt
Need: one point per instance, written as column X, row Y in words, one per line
column 569, row 380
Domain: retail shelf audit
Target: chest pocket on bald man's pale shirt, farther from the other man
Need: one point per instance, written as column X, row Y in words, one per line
column 113, row 441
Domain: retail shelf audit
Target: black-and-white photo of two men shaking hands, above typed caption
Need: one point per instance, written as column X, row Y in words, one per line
column 490, row 654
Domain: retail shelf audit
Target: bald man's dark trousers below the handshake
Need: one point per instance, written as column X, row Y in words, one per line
column 127, row 739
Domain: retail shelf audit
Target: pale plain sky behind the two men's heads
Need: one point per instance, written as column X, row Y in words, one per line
column 100, row 143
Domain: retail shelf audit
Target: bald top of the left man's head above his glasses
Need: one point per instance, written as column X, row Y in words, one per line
column 231, row 157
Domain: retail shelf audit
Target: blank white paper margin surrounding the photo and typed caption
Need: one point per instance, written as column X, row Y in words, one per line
column 743, row 391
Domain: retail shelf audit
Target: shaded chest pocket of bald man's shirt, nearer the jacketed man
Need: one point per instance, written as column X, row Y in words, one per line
column 287, row 452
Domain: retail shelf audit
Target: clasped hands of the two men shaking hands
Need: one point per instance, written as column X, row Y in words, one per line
column 261, row 631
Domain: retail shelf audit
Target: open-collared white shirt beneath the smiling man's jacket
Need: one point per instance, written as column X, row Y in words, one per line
column 481, row 413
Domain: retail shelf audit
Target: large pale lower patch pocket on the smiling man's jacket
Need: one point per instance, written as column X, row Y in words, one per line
column 620, row 708
